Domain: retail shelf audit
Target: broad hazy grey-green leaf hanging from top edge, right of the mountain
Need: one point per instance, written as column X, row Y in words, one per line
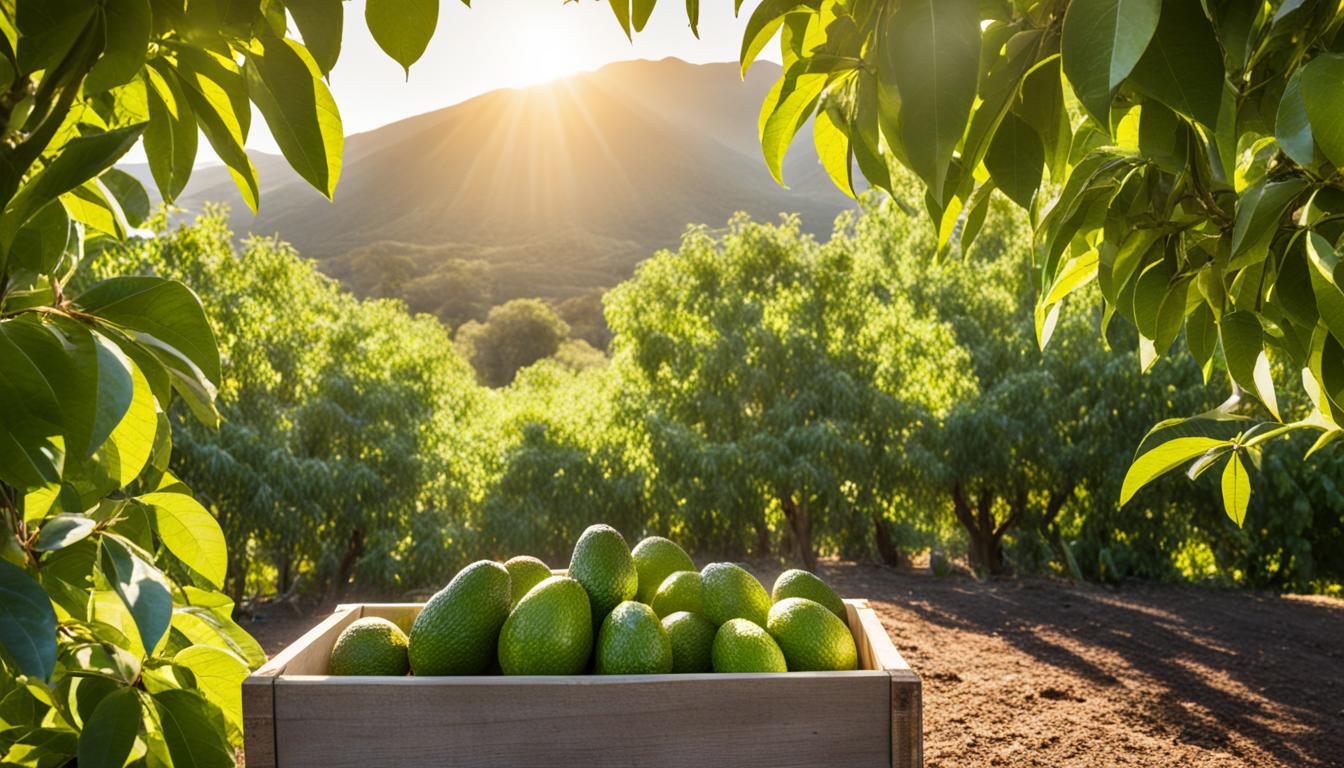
column 932, row 53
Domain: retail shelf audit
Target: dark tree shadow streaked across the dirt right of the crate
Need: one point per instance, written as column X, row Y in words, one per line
column 1217, row 665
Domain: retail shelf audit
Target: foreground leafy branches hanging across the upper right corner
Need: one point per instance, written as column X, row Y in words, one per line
column 1193, row 150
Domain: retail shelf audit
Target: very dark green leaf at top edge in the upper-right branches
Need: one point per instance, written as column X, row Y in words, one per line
column 1183, row 65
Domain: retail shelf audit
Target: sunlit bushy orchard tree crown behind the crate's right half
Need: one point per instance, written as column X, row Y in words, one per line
column 778, row 380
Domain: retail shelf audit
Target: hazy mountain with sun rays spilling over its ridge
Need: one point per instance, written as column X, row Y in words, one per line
column 556, row 190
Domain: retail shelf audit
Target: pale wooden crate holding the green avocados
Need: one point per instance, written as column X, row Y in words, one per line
column 298, row 716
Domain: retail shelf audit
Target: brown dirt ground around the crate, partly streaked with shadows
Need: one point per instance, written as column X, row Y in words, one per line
column 1045, row 673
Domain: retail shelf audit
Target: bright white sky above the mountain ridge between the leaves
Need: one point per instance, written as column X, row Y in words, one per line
column 503, row 44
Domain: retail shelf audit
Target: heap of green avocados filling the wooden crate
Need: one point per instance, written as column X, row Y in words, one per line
column 618, row 613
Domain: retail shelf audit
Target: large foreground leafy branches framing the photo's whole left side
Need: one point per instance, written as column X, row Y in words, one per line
column 111, row 570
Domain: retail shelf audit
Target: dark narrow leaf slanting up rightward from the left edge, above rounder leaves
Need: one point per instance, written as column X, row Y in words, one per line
column 80, row 161
